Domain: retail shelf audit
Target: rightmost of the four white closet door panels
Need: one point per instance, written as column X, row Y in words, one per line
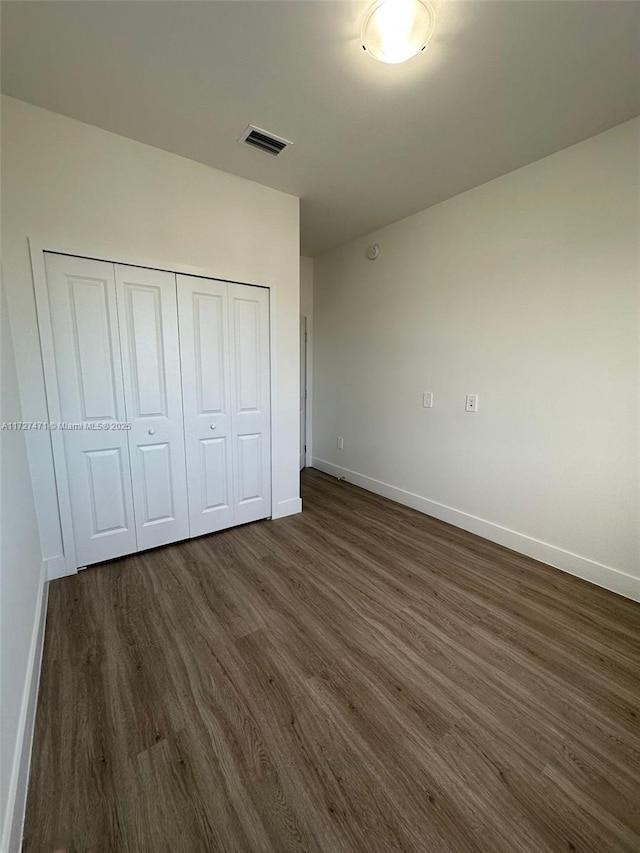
column 251, row 395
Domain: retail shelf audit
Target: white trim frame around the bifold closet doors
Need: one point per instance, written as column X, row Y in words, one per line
column 66, row 563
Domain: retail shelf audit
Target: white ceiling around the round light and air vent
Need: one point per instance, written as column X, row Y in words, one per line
column 501, row 85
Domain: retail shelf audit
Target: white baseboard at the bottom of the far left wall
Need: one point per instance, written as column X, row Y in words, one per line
column 19, row 780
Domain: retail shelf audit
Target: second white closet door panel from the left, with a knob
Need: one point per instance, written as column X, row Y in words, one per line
column 151, row 363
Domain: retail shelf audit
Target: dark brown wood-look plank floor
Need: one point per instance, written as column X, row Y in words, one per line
column 356, row 678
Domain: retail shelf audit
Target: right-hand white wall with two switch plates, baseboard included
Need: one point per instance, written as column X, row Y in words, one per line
column 524, row 291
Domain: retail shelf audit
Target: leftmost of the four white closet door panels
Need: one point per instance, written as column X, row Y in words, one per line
column 82, row 299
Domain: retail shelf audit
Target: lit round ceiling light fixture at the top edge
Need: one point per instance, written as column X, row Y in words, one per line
column 395, row 30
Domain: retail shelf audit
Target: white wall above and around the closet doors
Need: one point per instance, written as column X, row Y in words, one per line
column 82, row 190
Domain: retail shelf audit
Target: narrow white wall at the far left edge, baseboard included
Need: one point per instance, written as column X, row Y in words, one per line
column 22, row 603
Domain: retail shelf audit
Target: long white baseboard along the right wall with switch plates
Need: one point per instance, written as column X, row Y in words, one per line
column 589, row 570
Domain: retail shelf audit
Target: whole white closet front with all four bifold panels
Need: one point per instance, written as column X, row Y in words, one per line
column 163, row 388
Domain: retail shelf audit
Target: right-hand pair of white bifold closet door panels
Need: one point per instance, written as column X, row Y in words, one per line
column 224, row 339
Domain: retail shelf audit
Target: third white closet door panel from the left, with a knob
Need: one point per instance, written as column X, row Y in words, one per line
column 204, row 343
